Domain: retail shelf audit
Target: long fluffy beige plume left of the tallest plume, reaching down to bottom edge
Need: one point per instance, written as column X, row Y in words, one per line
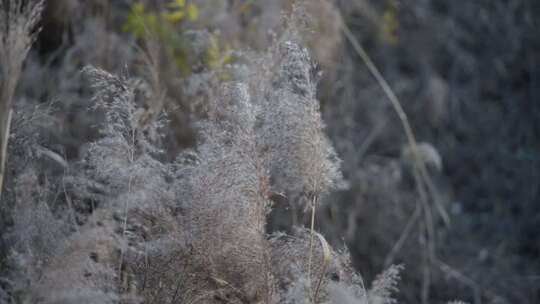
column 228, row 197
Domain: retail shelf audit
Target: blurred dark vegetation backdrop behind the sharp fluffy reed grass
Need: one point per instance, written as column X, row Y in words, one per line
column 467, row 74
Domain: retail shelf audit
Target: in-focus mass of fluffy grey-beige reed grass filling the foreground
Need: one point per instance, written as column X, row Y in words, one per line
column 122, row 223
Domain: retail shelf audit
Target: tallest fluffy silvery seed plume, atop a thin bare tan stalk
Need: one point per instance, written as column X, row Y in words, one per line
column 301, row 159
